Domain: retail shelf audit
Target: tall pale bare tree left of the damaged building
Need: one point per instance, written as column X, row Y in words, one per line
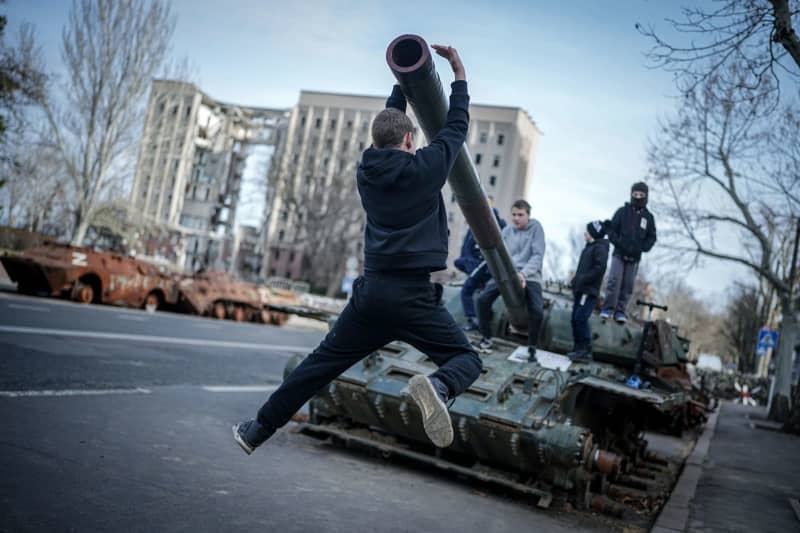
column 111, row 49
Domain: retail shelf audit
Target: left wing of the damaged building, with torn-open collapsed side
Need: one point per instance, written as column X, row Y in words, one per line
column 189, row 172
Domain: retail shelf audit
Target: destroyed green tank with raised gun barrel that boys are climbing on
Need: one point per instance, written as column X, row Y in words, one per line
column 545, row 428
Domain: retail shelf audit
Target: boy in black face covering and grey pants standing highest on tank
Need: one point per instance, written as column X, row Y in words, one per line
column 631, row 231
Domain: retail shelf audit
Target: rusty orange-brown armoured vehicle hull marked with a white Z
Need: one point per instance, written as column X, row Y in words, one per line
column 87, row 276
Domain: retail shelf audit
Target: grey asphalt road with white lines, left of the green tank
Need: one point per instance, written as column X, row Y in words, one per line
column 119, row 420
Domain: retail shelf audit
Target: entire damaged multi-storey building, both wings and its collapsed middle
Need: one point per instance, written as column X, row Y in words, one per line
column 193, row 154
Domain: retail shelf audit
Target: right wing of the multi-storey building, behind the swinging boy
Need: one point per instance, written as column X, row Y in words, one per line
column 325, row 136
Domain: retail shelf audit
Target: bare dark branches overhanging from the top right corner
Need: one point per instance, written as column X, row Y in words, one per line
column 759, row 35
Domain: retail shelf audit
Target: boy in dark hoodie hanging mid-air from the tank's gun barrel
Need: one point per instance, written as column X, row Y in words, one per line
column 405, row 240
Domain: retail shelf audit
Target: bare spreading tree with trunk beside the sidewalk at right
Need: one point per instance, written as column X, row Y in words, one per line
column 730, row 190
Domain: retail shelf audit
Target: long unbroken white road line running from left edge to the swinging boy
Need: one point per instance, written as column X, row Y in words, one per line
column 158, row 339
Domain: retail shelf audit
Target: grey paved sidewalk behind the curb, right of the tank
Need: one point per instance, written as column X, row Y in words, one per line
column 740, row 477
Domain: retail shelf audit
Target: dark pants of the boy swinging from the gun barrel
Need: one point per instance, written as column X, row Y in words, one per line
column 383, row 308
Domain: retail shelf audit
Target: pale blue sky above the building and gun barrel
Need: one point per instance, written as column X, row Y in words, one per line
column 577, row 67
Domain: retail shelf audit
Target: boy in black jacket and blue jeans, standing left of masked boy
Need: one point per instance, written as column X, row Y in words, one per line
column 586, row 287
